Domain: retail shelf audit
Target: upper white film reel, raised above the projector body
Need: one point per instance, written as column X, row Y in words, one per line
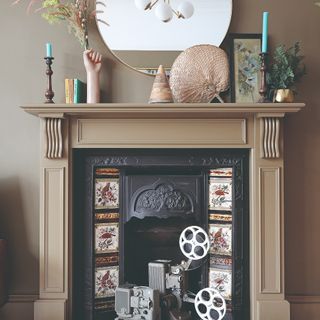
column 194, row 243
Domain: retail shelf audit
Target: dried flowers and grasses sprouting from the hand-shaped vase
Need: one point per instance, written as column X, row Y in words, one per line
column 76, row 13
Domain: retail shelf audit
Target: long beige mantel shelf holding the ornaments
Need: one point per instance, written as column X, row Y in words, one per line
column 185, row 110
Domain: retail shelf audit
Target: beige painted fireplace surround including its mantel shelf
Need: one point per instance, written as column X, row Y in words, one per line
column 257, row 127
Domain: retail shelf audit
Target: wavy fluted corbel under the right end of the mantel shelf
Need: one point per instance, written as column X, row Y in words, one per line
column 270, row 135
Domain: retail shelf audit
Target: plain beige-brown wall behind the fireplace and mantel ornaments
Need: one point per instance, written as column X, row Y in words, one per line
column 22, row 81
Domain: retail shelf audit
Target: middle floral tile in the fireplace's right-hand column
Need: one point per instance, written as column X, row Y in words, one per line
column 220, row 239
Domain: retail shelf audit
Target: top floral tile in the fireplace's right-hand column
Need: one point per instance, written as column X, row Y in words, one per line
column 220, row 194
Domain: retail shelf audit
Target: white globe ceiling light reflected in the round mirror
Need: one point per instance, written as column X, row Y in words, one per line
column 164, row 11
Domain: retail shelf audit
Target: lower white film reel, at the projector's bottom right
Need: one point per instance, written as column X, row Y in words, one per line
column 210, row 305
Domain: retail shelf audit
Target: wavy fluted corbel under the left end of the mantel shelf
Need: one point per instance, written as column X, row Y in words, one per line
column 53, row 134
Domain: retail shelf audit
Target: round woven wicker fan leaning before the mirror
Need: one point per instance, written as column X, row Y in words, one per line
column 199, row 74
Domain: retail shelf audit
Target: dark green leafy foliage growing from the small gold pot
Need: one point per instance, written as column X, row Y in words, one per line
column 286, row 67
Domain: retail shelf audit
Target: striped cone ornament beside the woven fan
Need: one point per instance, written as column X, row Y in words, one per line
column 161, row 92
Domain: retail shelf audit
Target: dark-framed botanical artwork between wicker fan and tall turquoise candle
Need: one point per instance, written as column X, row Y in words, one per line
column 245, row 67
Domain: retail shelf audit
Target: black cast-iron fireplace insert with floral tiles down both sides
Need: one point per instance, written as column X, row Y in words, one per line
column 130, row 207
